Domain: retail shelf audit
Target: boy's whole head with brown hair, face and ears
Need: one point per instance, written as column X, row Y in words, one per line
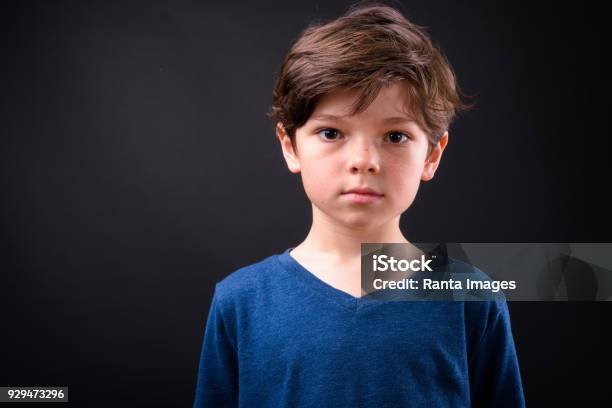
column 362, row 106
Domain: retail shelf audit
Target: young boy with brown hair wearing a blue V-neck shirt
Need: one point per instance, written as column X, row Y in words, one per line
column 362, row 106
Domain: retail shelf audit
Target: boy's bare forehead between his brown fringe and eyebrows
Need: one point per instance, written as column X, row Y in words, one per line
column 391, row 100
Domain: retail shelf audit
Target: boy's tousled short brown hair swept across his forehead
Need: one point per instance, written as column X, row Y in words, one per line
column 372, row 45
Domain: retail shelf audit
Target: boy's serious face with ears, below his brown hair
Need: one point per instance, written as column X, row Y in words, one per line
column 381, row 149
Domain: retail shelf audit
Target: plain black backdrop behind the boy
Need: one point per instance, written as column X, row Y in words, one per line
column 138, row 168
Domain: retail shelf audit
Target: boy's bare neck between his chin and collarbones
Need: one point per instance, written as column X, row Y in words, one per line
column 329, row 237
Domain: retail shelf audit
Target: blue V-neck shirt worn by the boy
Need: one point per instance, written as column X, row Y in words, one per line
column 278, row 336
